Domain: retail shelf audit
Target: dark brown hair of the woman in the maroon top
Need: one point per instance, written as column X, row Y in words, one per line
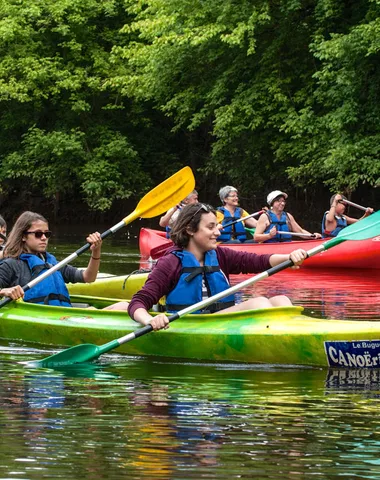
column 188, row 221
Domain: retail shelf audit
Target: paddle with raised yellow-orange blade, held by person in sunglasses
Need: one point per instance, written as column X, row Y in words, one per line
column 157, row 201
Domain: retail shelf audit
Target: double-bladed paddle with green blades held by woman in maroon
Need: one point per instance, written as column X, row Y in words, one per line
column 366, row 228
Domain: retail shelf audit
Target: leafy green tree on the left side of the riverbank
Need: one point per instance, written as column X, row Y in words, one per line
column 63, row 133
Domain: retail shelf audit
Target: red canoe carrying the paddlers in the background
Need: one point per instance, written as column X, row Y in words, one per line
column 350, row 254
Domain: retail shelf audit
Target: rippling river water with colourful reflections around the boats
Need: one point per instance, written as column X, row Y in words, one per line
column 140, row 418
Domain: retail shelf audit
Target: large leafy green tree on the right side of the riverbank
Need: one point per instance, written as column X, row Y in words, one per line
column 287, row 89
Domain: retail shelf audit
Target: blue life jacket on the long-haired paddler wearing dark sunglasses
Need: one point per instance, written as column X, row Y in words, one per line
column 52, row 290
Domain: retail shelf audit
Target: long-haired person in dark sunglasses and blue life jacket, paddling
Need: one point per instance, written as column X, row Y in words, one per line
column 25, row 257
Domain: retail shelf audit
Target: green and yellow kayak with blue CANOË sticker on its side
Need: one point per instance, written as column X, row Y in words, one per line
column 272, row 336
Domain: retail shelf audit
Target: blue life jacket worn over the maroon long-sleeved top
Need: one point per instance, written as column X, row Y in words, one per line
column 188, row 290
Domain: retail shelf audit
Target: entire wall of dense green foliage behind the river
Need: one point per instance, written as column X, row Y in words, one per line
column 102, row 99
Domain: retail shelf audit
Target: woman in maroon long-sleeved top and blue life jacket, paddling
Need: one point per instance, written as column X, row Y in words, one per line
column 197, row 268
